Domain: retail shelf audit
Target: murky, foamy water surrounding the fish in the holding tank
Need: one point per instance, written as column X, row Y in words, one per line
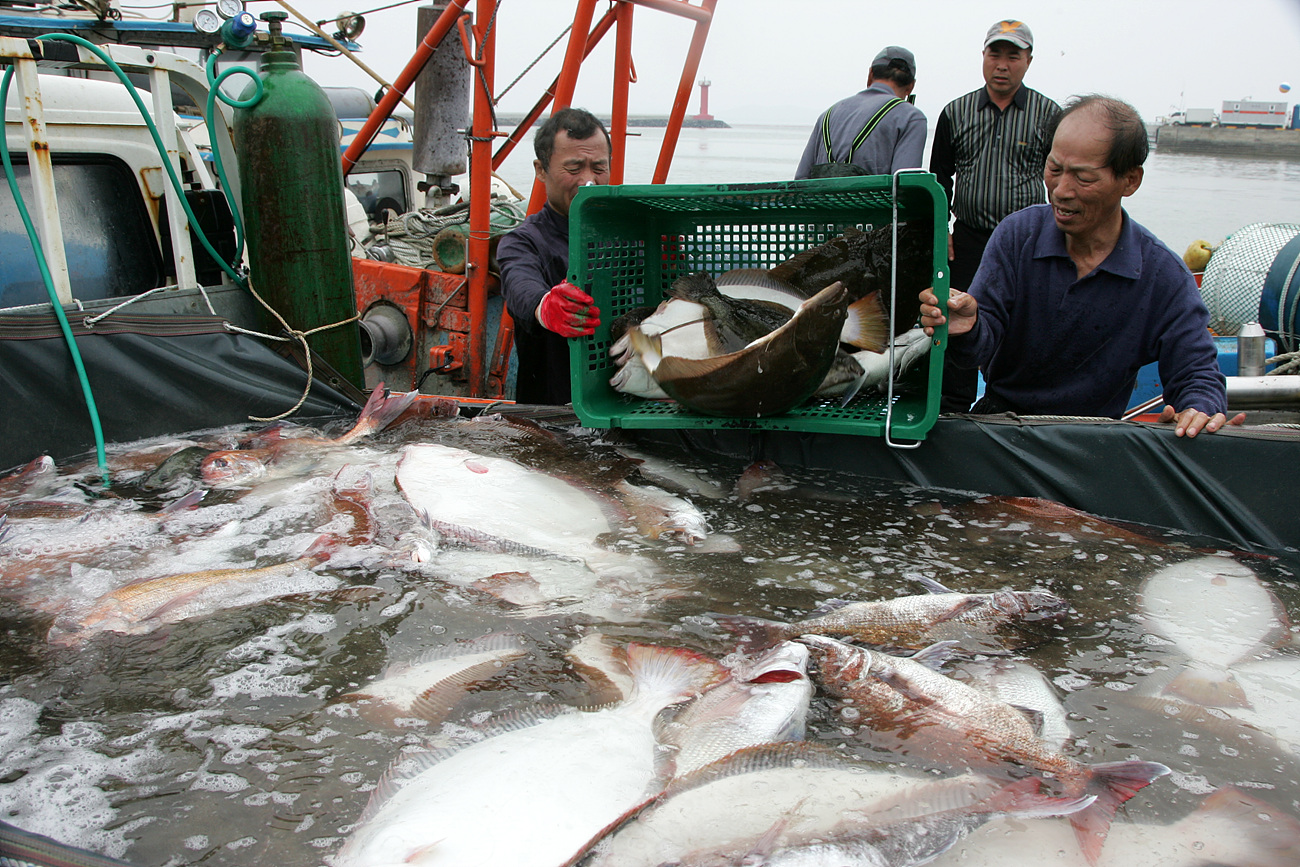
column 220, row 739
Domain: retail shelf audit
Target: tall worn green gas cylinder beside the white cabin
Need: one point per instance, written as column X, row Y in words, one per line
column 292, row 187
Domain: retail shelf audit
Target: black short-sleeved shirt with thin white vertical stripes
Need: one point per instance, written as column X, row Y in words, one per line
column 996, row 155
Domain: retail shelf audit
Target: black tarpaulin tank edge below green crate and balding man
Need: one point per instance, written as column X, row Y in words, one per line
column 1237, row 485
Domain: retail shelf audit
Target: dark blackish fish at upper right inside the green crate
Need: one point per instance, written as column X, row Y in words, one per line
column 863, row 262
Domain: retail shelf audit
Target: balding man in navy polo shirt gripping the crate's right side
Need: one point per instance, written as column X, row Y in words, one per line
column 1072, row 298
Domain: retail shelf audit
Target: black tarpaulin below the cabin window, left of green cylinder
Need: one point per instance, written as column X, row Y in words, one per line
column 150, row 376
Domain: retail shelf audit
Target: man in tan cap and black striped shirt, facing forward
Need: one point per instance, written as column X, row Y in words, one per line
column 995, row 141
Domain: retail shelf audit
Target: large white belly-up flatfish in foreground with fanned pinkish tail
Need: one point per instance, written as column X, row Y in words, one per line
column 530, row 795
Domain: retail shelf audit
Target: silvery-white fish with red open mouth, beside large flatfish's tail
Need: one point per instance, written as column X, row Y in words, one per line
column 765, row 701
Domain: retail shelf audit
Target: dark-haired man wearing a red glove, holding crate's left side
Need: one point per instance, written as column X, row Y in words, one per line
column 573, row 150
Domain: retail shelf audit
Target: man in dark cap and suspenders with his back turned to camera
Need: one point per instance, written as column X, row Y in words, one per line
column 874, row 132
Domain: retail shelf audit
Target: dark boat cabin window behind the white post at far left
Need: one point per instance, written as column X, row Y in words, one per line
column 109, row 236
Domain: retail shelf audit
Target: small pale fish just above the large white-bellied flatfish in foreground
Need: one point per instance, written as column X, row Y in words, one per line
column 430, row 686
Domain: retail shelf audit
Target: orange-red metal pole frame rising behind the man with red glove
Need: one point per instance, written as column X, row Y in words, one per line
column 483, row 163
